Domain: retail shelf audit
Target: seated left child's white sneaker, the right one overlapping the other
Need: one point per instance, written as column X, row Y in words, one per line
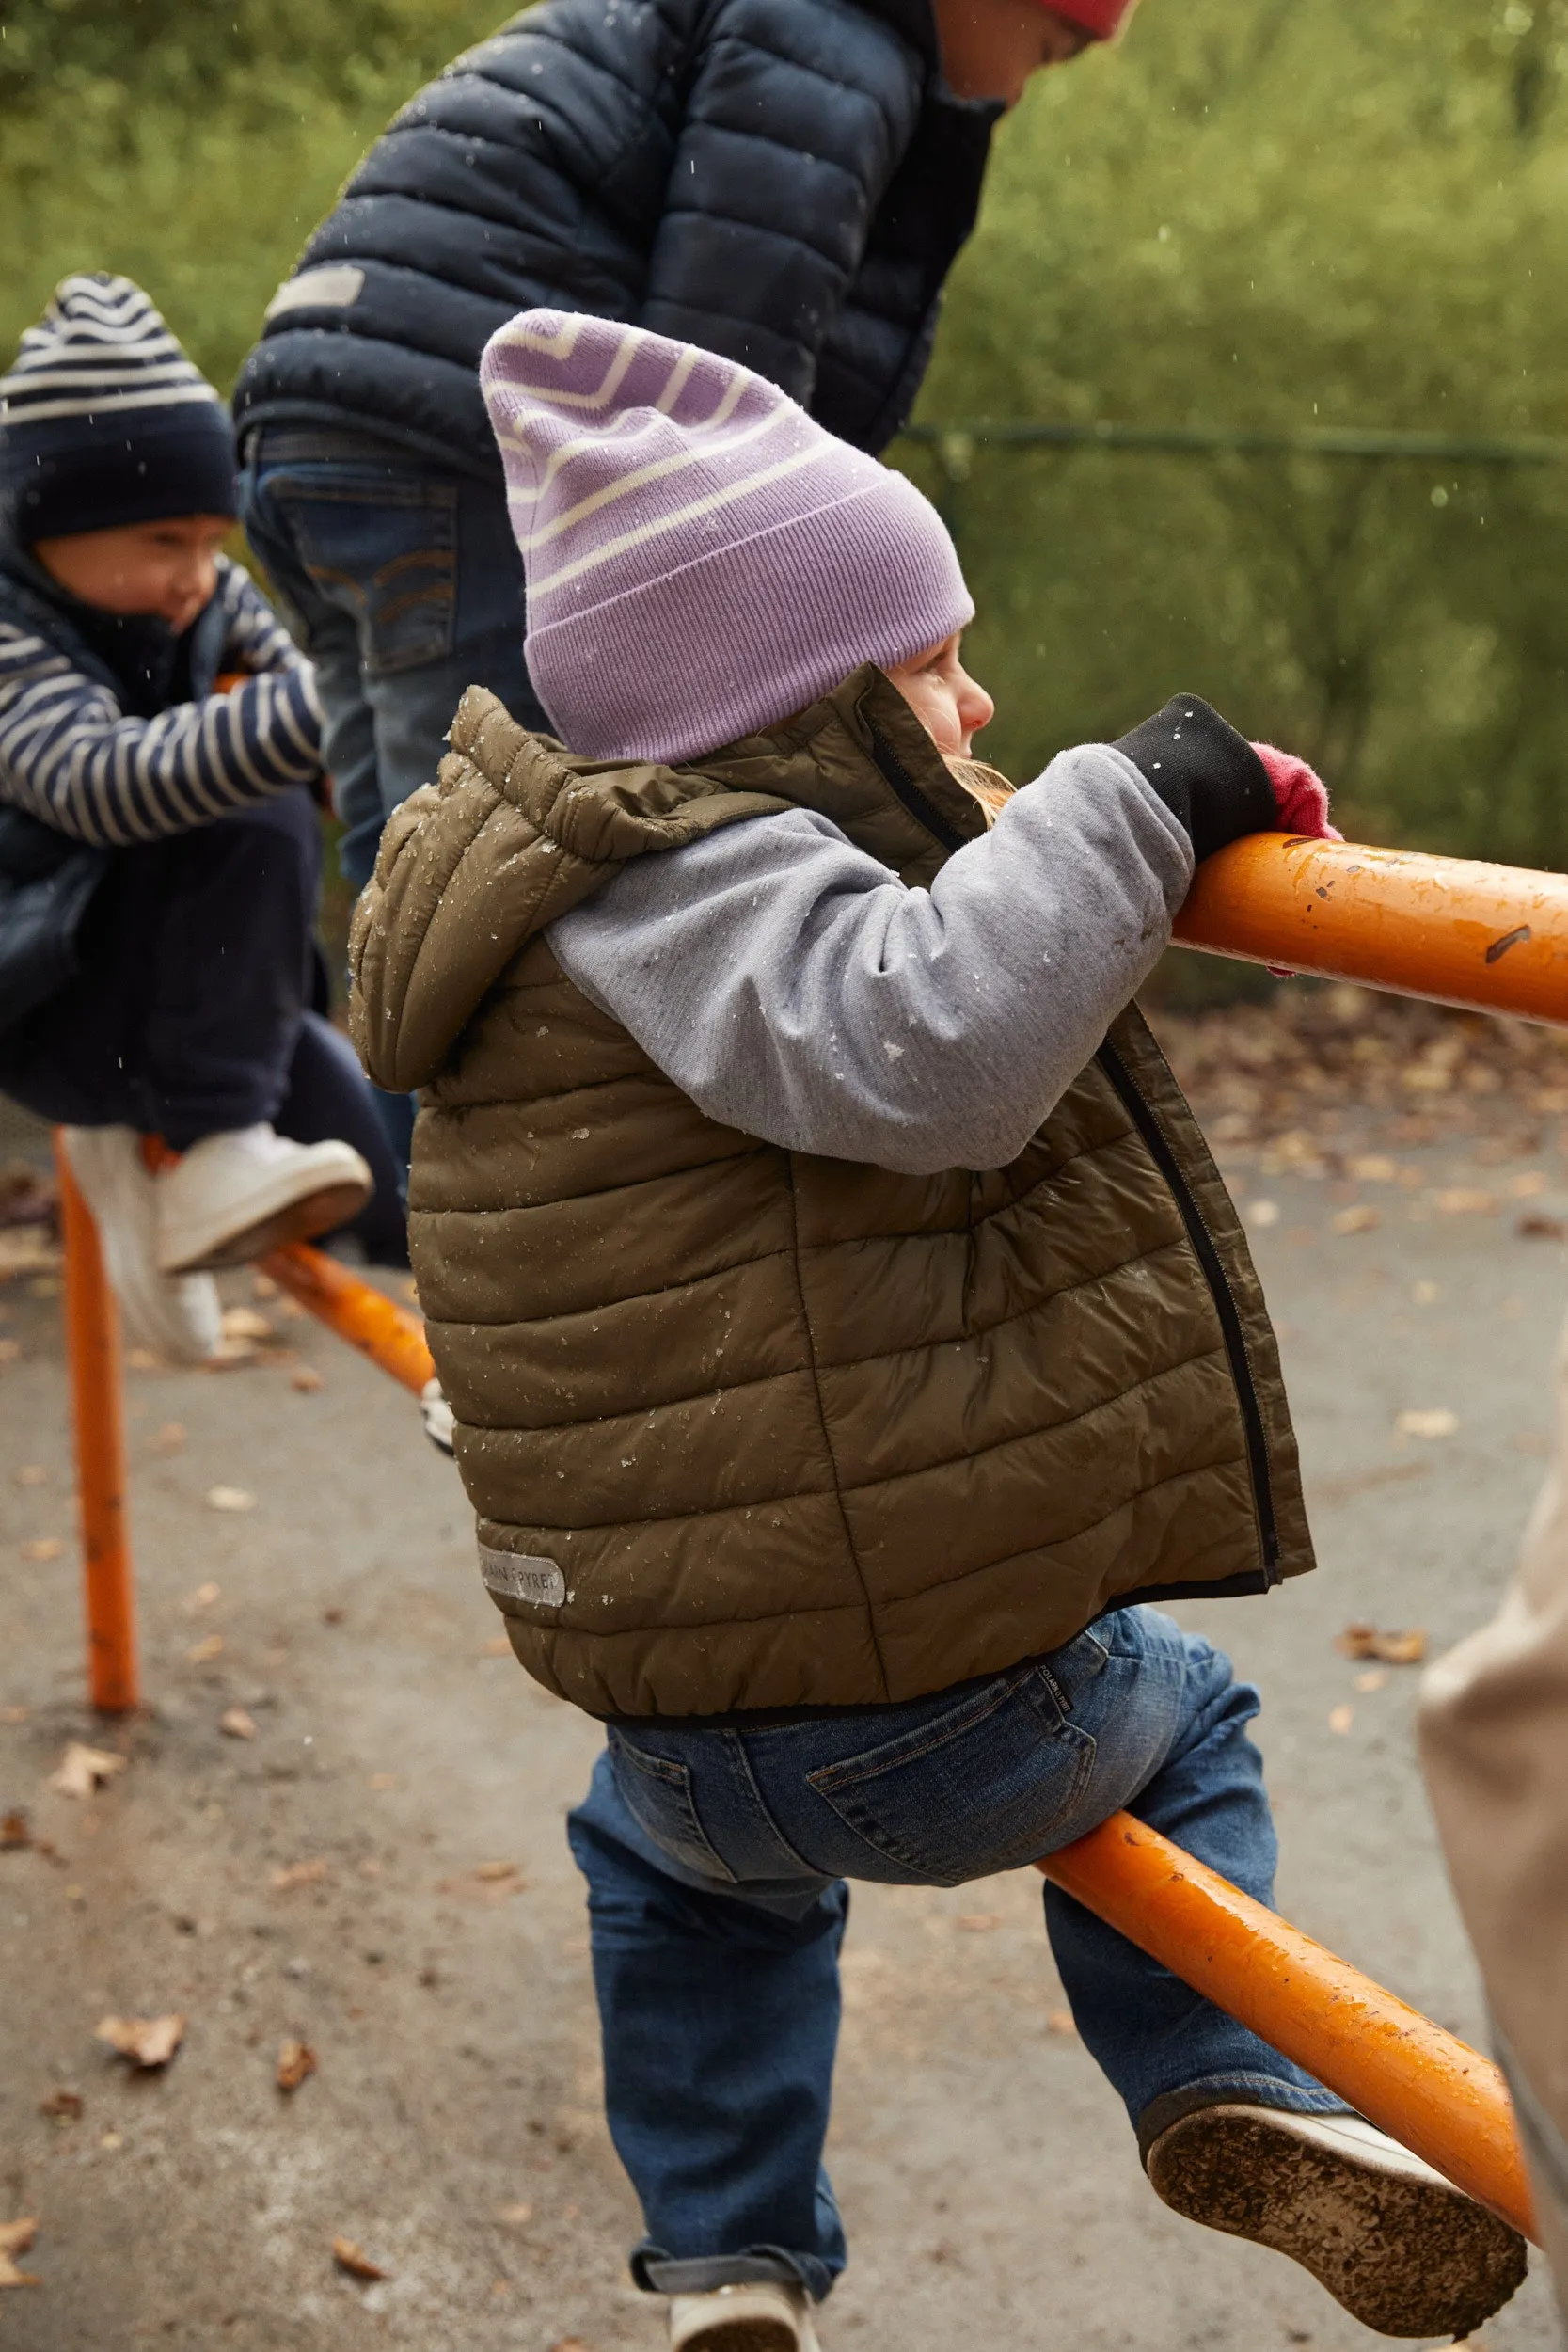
column 241, row 1194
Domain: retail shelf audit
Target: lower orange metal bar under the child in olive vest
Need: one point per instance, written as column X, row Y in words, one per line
column 1405, row 2073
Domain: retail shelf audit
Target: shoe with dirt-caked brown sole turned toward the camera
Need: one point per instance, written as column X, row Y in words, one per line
column 1398, row 2245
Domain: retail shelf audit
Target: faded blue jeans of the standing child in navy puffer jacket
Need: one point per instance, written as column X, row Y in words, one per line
column 406, row 587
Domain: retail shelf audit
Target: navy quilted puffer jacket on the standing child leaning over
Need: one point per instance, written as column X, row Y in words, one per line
column 786, row 182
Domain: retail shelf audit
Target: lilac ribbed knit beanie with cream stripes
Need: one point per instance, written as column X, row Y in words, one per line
column 702, row 559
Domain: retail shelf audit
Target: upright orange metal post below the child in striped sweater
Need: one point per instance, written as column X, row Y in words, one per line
column 93, row 1339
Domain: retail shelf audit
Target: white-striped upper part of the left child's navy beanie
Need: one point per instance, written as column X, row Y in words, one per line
column 98, row 349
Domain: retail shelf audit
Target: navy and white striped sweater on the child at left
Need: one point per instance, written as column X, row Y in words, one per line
column 74, row 759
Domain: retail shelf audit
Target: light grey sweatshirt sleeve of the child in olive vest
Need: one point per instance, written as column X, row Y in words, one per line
column 796, row 989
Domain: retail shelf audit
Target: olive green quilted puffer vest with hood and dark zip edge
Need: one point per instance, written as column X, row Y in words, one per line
column 751, row 1429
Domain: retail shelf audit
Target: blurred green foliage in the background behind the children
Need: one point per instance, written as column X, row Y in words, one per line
column 1254, row 213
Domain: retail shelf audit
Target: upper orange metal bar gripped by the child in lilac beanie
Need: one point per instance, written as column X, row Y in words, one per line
column 1487, row 937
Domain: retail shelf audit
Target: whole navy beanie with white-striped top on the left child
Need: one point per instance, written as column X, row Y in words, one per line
column 105, row 420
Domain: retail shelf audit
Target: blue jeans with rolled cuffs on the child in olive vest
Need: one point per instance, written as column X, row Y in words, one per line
column 716, row 1866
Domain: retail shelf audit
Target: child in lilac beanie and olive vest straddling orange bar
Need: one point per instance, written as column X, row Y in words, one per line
column 847, row 1330
